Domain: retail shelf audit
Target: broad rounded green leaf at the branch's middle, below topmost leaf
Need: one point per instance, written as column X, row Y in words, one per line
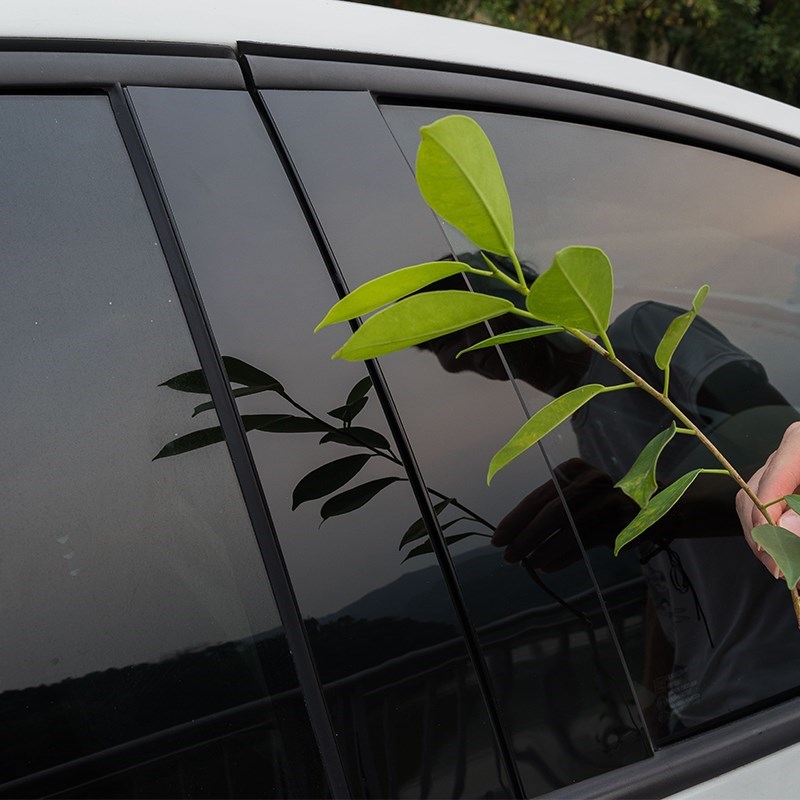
column 576, row 292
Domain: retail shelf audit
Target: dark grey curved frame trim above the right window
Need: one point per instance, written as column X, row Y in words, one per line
column 447, row 85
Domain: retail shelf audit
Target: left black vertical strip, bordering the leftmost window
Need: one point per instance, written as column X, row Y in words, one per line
column 235, row 437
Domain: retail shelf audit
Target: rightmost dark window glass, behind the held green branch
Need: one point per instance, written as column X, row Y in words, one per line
column 719, row 630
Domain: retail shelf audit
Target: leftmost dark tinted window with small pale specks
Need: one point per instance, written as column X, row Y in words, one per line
column 134, row 601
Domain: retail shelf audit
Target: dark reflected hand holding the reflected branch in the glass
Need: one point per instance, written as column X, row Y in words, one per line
column 538, row 529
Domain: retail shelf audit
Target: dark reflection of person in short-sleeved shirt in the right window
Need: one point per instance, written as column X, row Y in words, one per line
column 723, row 618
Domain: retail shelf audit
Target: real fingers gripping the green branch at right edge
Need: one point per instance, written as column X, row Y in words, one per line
column 779, row 476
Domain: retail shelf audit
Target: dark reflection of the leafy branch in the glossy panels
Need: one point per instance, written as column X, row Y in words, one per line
column 326, row 480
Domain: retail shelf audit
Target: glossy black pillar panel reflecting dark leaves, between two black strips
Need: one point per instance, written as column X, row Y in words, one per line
column 401, row 692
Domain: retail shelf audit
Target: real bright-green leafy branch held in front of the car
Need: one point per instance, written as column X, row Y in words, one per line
column 459, row 176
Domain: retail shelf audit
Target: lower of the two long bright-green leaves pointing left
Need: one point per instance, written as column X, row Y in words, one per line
column 419, row 318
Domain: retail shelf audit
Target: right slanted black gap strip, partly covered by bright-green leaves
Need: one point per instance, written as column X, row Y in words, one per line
column 409, row 462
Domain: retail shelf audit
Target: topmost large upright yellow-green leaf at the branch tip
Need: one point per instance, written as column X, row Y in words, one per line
column 460, row 179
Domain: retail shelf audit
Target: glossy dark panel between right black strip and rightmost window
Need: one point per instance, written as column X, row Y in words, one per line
column 555, row 670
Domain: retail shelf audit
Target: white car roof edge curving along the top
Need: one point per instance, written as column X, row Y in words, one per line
column 356, row 28
